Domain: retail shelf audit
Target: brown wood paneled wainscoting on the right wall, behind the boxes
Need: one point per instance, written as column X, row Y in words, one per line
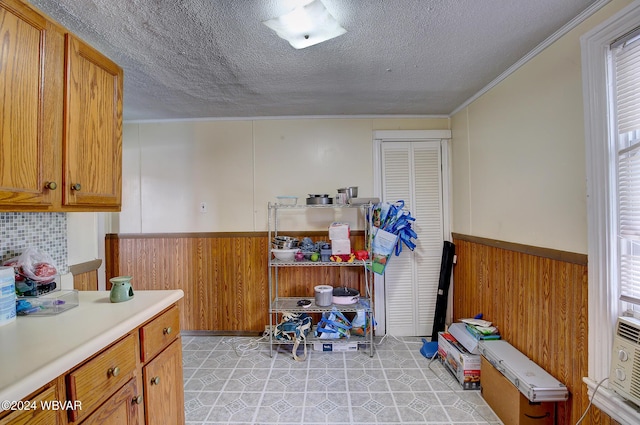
column 538, row 299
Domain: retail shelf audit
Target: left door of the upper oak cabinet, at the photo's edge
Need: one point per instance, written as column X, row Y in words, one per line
column 31, row 96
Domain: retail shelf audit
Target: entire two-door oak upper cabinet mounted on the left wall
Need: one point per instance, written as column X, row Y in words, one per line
column 60, row 118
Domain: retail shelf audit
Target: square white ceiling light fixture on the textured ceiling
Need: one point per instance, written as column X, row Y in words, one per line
column 306, row 25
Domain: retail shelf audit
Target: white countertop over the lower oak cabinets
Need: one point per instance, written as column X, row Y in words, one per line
column 36, row 350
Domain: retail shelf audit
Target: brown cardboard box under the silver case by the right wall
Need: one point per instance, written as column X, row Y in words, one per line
column 511, row 406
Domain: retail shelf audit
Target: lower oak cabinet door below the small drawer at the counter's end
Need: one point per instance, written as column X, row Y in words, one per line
column 164, row 387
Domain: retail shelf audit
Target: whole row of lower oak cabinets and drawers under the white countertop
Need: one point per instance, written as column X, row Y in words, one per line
column 120, row 385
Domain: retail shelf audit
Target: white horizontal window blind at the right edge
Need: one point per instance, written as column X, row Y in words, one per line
column 626, row 73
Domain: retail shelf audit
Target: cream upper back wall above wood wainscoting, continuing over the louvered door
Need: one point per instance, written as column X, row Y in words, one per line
column 237, row 166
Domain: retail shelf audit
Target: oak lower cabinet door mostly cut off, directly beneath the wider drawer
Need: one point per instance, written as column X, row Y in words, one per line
column 120, row 409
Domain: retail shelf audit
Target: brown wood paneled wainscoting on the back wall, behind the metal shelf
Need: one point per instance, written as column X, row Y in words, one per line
column 224, row 276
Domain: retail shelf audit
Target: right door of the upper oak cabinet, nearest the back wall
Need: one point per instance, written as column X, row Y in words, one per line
column 92, row 129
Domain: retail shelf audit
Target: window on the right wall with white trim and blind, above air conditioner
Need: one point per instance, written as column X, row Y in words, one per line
column 612, row 117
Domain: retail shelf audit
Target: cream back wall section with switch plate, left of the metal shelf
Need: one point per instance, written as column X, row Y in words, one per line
column 170, row 168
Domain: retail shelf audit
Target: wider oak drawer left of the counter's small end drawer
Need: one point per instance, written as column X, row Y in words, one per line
column 96, row 380
